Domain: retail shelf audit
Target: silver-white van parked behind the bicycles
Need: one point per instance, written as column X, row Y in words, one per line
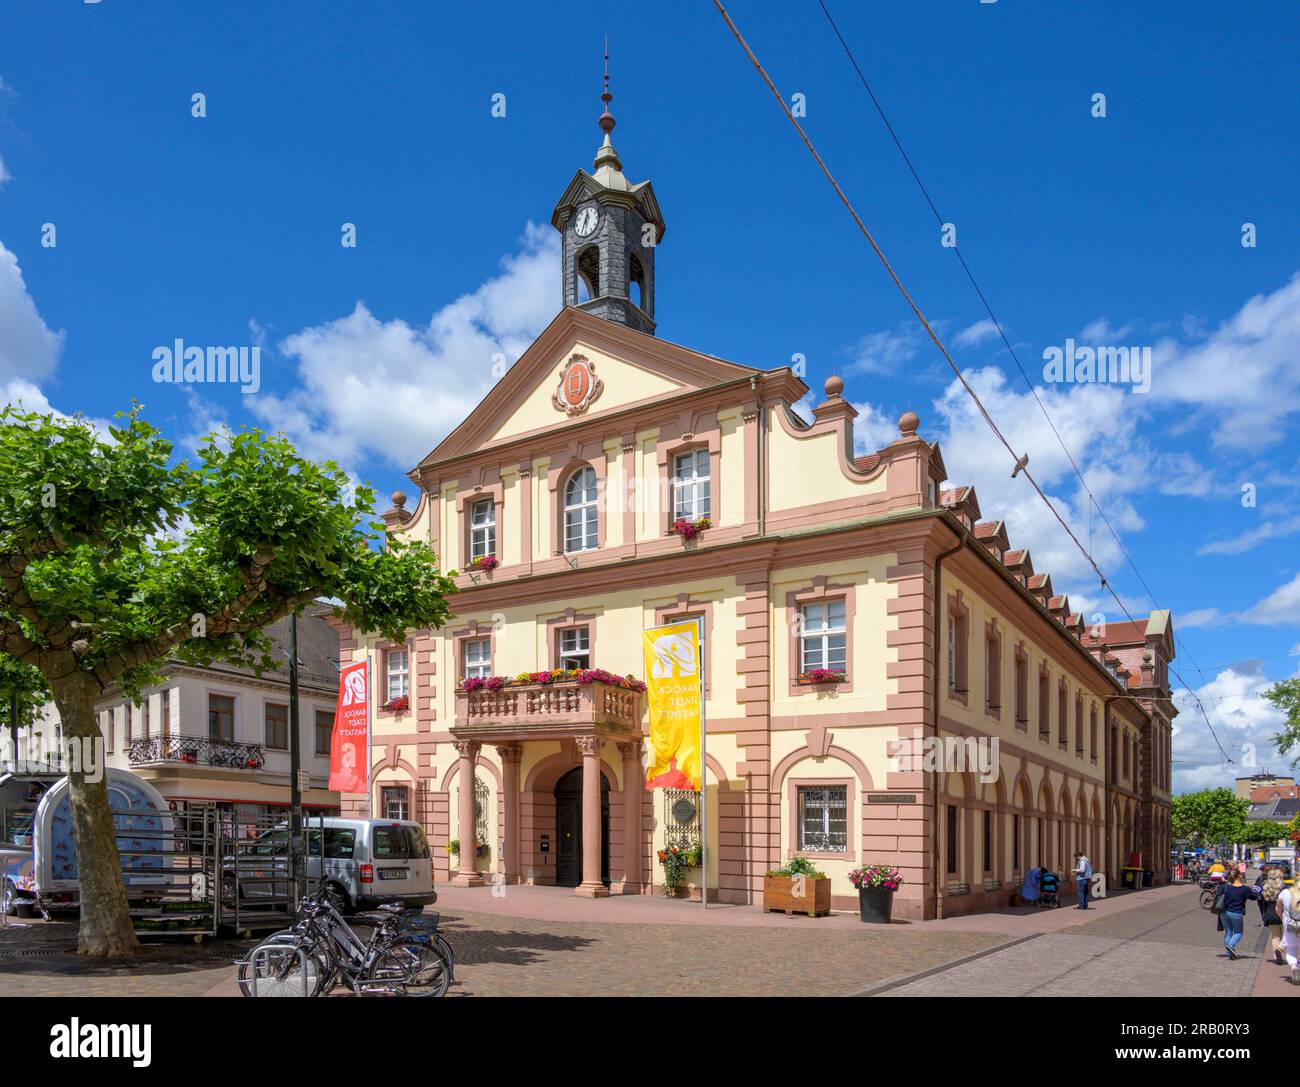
column 367, row 861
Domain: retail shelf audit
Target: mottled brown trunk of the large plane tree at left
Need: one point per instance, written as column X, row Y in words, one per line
column 106, row 921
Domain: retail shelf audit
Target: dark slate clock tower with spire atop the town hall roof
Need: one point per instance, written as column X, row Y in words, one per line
column 610, row 231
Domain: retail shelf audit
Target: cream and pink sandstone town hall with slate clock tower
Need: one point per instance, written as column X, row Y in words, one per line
column 571, row 478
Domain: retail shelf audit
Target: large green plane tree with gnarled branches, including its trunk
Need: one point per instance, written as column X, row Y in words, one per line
column 112, row 558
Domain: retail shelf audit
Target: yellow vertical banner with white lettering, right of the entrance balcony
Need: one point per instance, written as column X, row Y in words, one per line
column 673, row 670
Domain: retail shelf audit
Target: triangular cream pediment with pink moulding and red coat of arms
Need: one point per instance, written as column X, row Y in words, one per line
column 631, row 369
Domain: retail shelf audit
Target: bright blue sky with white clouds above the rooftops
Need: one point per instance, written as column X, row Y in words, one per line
column 1124, row 229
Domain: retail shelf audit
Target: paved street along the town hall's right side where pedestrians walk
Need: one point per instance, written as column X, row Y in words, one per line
column 1168, row 947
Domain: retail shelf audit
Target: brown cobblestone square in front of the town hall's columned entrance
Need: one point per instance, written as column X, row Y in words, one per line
column 499, row 956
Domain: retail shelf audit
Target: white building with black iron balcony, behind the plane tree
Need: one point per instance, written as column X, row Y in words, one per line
column 219, row 735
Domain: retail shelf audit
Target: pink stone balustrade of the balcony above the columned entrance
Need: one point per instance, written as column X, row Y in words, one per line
column 549, row 709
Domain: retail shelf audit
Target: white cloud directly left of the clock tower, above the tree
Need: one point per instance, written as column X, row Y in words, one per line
column 392, row 391
